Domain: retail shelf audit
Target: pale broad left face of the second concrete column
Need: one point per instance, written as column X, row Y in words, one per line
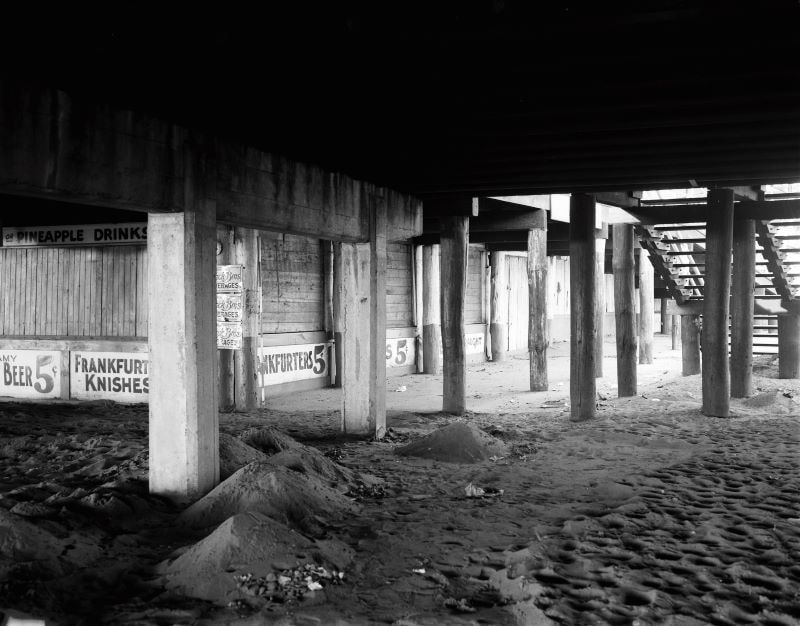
column 353, row 340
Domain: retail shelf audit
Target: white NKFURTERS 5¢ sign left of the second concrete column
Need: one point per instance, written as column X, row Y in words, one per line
column 284, row 364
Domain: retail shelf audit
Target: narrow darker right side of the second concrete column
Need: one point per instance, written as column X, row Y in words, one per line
column 377, row 317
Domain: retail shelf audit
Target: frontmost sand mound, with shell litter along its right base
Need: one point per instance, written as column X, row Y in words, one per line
column 247, row 543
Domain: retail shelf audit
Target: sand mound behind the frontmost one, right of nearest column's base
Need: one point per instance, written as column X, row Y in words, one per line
column 291, row 497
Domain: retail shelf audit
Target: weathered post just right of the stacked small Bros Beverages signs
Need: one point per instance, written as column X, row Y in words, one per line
column 246, row 254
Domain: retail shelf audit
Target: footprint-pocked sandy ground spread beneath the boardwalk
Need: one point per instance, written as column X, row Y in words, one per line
column 650, row 514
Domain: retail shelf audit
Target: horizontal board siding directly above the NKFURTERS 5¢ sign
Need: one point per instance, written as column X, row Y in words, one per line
column 292, row 284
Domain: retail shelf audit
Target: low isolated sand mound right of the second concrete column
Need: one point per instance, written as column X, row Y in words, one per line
column 456, row 443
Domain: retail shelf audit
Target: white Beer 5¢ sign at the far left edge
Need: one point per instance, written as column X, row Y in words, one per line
column 30, row 373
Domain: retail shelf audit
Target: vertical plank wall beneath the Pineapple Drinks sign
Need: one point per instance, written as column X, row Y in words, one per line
column 73, row 292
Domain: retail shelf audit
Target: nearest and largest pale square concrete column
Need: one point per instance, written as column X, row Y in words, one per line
column 184, row 431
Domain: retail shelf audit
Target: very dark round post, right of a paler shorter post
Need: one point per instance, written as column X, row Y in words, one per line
column 583, row 303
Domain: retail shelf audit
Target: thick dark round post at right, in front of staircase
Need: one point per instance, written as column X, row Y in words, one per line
column 716, row 303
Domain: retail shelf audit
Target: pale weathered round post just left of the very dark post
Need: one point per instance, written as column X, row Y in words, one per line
column 537, row 307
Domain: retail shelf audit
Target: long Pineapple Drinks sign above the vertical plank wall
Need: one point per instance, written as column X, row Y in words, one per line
column 86, row 235
